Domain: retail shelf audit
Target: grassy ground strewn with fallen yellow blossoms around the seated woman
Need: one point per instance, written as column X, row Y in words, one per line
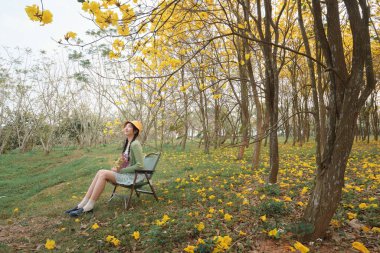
column 213, row 198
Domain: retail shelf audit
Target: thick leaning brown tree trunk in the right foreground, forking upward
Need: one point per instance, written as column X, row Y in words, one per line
column 347, row 95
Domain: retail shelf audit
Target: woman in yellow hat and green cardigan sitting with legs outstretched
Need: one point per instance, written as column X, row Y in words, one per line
column 131, row 159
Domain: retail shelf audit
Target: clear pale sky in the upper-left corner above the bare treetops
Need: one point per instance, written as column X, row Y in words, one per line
column 17, row 30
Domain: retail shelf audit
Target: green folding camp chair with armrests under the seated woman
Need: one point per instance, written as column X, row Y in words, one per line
column 150, row 163
